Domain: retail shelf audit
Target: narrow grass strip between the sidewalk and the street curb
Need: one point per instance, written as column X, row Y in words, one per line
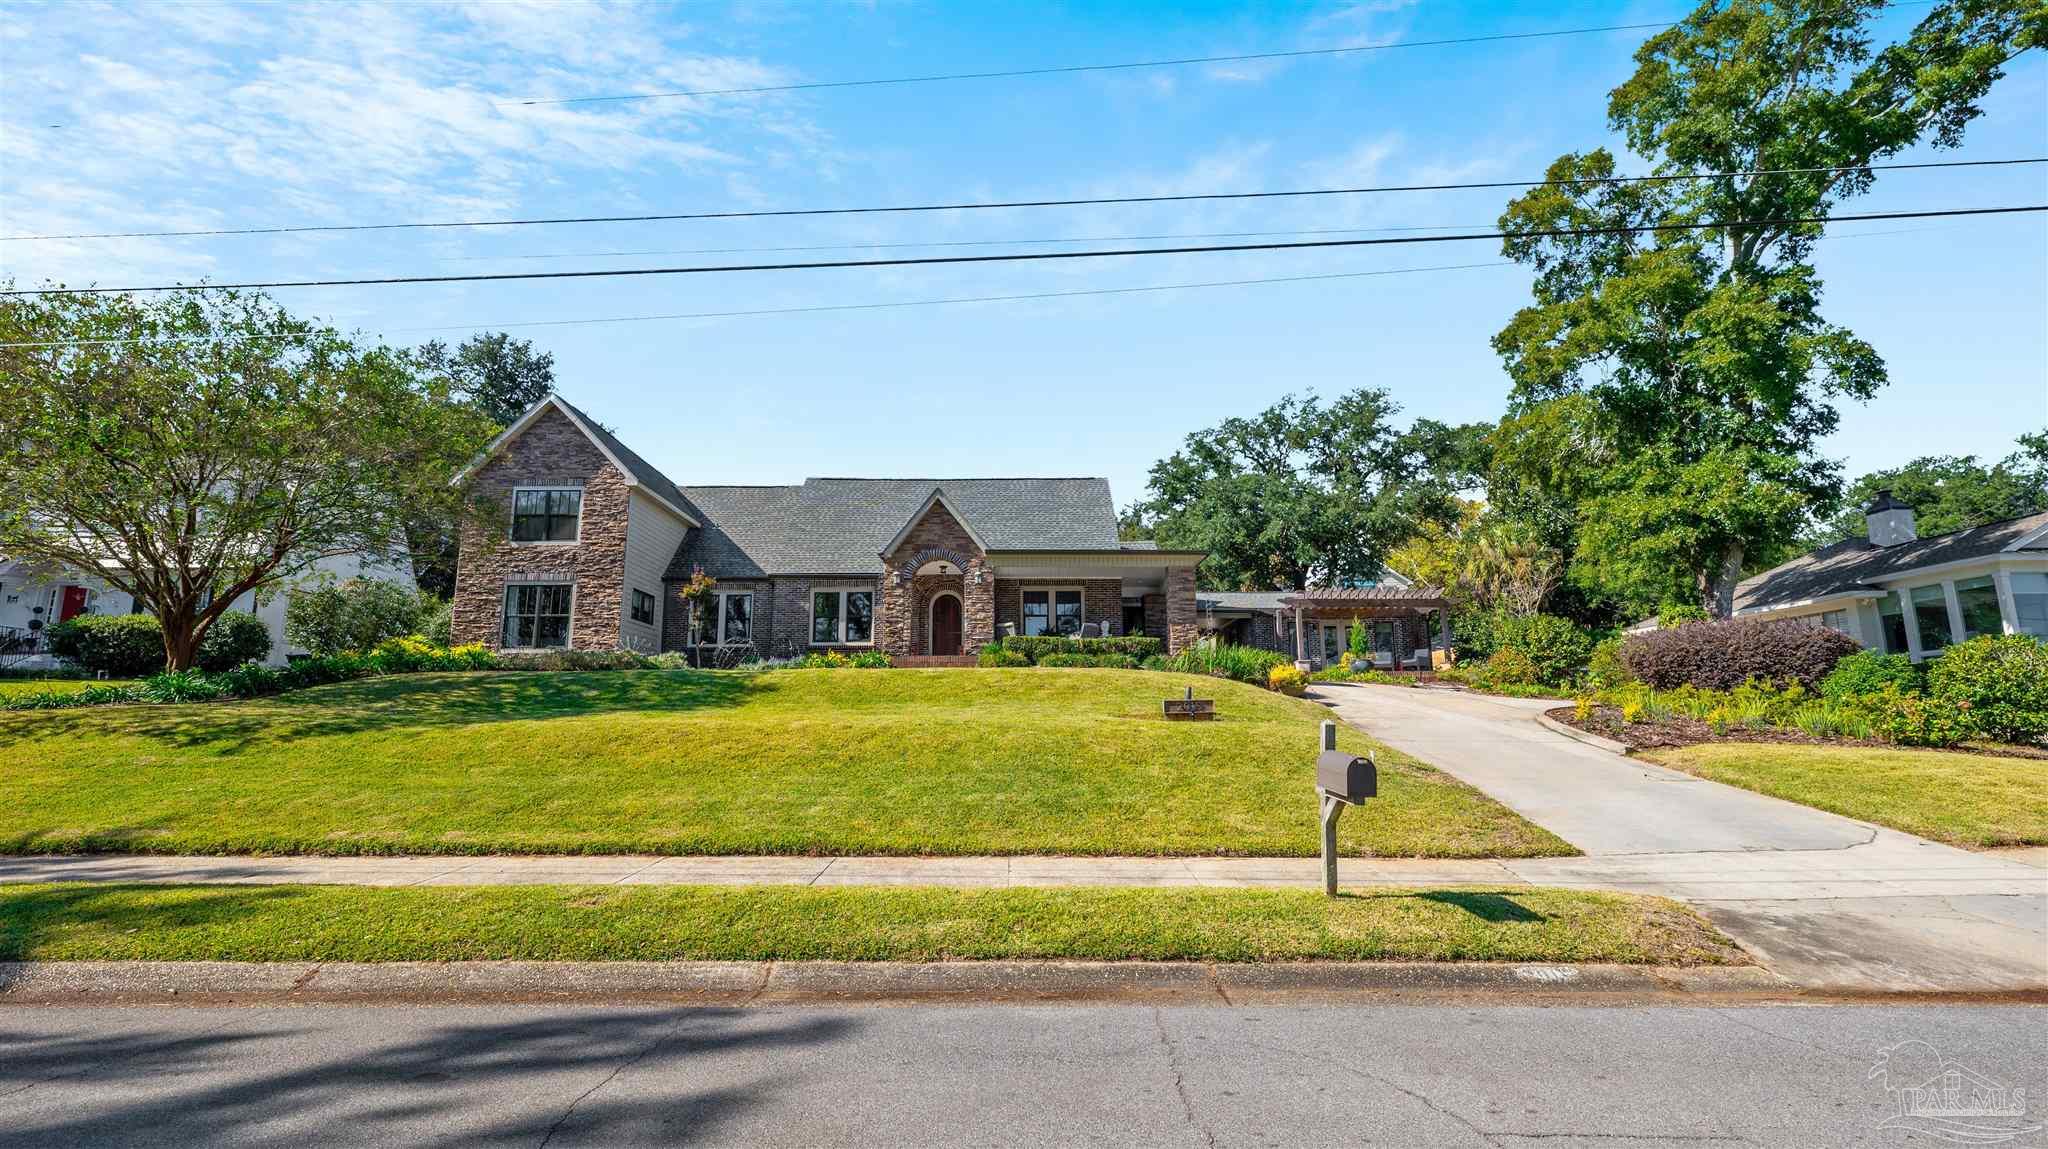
column 226, row 923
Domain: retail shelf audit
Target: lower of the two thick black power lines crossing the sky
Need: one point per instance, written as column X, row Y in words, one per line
column 1035, row 257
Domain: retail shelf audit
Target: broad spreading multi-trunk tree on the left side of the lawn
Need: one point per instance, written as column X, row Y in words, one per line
column 200, row 445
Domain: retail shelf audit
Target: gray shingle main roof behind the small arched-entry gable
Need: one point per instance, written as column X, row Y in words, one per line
column 841, row 525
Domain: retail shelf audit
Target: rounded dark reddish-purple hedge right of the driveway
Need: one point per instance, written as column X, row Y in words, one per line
column 1725, row 654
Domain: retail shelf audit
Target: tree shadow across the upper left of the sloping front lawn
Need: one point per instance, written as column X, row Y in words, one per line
column 411, row 701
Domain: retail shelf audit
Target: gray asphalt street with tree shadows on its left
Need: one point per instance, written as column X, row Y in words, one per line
column 1414, row 1076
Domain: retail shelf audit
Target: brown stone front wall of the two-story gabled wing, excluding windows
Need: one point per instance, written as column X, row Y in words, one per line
column 550, row 454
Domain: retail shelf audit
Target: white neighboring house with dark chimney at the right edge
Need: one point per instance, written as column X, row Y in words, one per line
column 1900, row 593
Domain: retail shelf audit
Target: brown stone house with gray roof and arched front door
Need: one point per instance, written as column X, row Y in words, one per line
column 593, row 546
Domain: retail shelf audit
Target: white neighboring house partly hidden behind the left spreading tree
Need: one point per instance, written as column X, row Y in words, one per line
column 34, row 599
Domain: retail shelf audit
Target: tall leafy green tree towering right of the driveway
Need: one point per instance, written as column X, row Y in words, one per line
column 1693, row 372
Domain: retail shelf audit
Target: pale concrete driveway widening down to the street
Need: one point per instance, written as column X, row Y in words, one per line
column 1820, row 898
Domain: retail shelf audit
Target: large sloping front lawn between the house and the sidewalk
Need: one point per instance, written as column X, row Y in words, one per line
column 722, row 763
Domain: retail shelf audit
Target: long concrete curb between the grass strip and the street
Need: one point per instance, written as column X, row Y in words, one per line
column 833, row 982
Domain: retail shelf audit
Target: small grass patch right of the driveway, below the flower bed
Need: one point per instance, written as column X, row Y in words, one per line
column 1967, row 800
